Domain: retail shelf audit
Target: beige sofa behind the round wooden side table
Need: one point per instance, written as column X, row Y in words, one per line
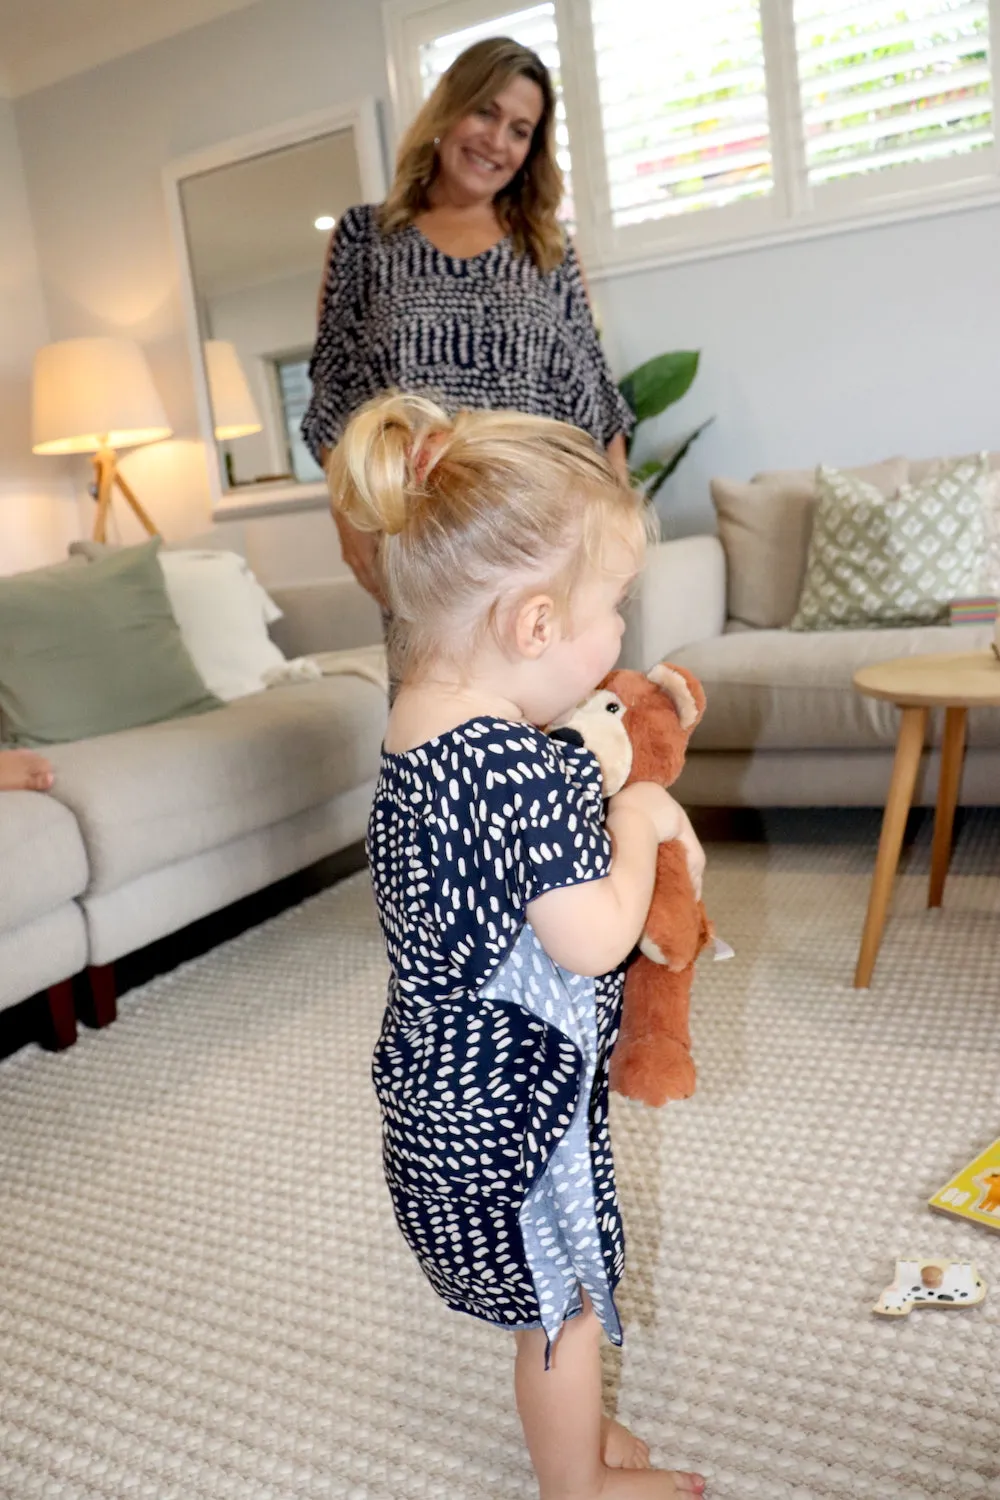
column 785, row 725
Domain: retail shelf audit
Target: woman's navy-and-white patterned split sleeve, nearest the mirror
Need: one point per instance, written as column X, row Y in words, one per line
column 338, row 356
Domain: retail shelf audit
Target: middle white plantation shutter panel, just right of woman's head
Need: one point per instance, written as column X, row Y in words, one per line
column 684, row 106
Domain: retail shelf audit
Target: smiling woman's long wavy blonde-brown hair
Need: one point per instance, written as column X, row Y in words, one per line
column 528, row 206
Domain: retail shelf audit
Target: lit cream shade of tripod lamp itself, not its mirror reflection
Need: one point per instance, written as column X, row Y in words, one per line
column 92, row 394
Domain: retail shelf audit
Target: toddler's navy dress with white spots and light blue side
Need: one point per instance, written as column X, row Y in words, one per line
column 493, row 1061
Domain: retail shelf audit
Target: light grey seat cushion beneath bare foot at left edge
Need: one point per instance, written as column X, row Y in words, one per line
column 43, row 859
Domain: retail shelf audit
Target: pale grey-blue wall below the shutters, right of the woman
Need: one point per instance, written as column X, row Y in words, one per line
column 843, row 350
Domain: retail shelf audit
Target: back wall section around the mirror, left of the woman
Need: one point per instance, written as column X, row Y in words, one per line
column 95, row 148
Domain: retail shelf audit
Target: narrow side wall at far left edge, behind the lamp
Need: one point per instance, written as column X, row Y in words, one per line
column 38, row 512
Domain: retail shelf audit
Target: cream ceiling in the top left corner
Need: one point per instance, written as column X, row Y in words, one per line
column 44, row 41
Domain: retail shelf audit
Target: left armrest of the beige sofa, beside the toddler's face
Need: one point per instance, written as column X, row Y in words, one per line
column 681, row 601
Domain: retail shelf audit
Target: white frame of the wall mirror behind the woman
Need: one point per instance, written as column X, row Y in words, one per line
column 361, row 118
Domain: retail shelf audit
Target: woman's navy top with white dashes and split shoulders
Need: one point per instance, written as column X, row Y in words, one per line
column 487, row 332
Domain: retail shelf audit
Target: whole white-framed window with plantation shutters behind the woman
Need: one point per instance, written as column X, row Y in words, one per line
column 734, row 121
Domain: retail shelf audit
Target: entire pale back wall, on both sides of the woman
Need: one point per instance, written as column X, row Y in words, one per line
column 843, row 349
